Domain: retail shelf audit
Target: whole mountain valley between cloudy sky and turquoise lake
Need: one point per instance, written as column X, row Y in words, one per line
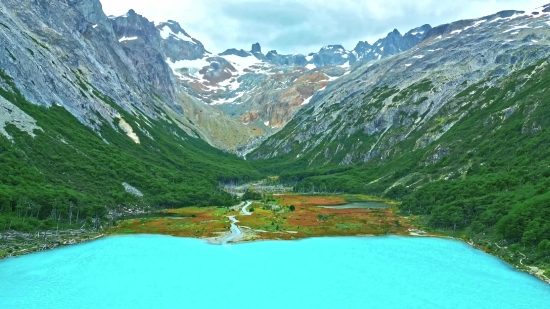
column 118, row 125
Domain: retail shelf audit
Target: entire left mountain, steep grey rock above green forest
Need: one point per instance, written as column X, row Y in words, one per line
column 88, row 122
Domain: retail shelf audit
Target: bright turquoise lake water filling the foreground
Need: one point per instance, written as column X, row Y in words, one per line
column 165, row 272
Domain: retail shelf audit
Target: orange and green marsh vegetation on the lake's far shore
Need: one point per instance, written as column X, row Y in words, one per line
column 275, row 221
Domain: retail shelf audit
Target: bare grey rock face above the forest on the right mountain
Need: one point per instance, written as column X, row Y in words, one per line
column 408, row 101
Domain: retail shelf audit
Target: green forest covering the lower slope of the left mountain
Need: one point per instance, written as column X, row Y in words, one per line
column 69, row 175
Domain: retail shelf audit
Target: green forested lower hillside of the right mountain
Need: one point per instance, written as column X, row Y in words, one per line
column 488, row 176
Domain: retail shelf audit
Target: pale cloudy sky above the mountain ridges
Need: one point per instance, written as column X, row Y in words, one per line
column 305, row 26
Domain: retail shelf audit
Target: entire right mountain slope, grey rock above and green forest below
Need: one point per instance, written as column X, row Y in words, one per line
column 457, row 129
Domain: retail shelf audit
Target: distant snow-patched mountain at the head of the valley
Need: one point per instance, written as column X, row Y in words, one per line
column 261, row 91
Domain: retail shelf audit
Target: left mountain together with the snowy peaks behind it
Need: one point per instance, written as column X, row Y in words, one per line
column 119, row 113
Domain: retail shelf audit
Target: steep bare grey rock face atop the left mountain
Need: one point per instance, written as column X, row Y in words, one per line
column 56, row 55
